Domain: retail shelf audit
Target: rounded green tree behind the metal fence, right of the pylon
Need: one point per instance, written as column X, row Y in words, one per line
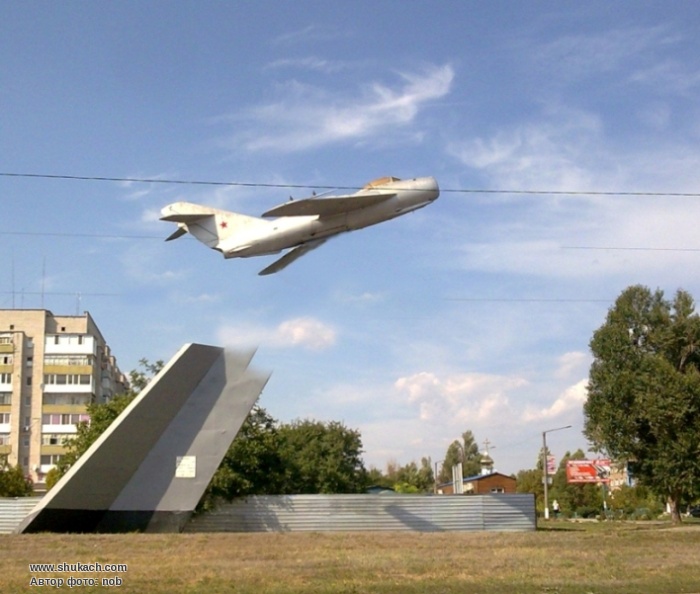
column 322, row 458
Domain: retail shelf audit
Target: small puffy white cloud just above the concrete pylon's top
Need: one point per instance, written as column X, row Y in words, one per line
column 304, row 332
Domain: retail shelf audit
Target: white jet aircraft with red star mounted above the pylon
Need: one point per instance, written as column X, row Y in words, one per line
column 302, row 225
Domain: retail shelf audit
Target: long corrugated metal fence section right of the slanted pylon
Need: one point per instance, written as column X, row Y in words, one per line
column 318, row 513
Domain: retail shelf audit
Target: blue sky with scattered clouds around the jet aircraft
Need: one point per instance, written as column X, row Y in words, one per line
column 474, row 313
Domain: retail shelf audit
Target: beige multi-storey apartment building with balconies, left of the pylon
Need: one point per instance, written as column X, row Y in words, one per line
column 51, row 368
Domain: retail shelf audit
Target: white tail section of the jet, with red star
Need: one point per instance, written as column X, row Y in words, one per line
column 209, row 225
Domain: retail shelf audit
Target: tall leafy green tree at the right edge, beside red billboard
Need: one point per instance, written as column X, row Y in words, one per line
column 644, row 391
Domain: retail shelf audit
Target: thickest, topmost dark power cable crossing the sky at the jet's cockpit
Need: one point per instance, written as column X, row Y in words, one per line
column 325, row 187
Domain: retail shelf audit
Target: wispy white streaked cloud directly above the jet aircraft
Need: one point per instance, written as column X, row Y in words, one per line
column 310, row 117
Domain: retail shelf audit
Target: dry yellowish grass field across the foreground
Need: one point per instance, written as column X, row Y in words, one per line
column 563, row 557
